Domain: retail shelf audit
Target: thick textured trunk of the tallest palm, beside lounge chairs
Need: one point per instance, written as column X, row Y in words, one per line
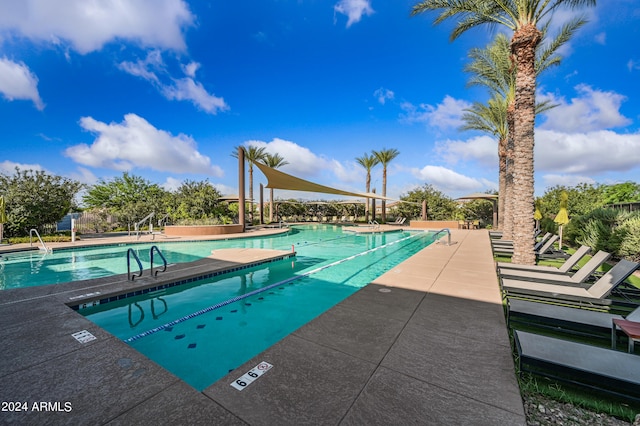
column 523, row 46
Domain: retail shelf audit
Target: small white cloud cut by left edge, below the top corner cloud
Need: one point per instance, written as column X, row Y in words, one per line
column 18, row 82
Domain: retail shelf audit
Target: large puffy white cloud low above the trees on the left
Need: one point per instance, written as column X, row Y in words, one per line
column 136, row 143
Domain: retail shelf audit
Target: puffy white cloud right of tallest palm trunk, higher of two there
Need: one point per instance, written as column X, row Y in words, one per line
column 592, row 110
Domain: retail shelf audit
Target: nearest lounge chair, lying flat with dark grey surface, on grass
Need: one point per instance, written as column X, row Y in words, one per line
column 605, row 370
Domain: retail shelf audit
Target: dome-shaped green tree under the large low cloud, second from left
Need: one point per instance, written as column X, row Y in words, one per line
column 129, row 198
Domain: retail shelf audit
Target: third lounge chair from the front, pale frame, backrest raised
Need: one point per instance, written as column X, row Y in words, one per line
column 594, row 294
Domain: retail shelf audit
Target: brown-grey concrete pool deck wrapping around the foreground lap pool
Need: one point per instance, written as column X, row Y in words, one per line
column 425, row 343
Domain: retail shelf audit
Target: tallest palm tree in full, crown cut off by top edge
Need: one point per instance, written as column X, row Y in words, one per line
column 522, row 17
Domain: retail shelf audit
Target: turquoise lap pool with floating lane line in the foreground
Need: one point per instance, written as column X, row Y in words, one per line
column 202, row 330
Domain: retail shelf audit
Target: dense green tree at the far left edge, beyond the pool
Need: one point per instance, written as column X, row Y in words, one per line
column 35, row 199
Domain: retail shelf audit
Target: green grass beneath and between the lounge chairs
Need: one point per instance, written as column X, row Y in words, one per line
column 536, row 385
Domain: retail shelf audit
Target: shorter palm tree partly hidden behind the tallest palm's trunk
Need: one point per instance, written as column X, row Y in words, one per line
column 491, row 67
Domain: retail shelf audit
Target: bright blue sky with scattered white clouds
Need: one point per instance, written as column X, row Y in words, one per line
column 165, row 89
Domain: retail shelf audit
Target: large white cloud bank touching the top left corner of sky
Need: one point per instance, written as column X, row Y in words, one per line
column 88, row 25
